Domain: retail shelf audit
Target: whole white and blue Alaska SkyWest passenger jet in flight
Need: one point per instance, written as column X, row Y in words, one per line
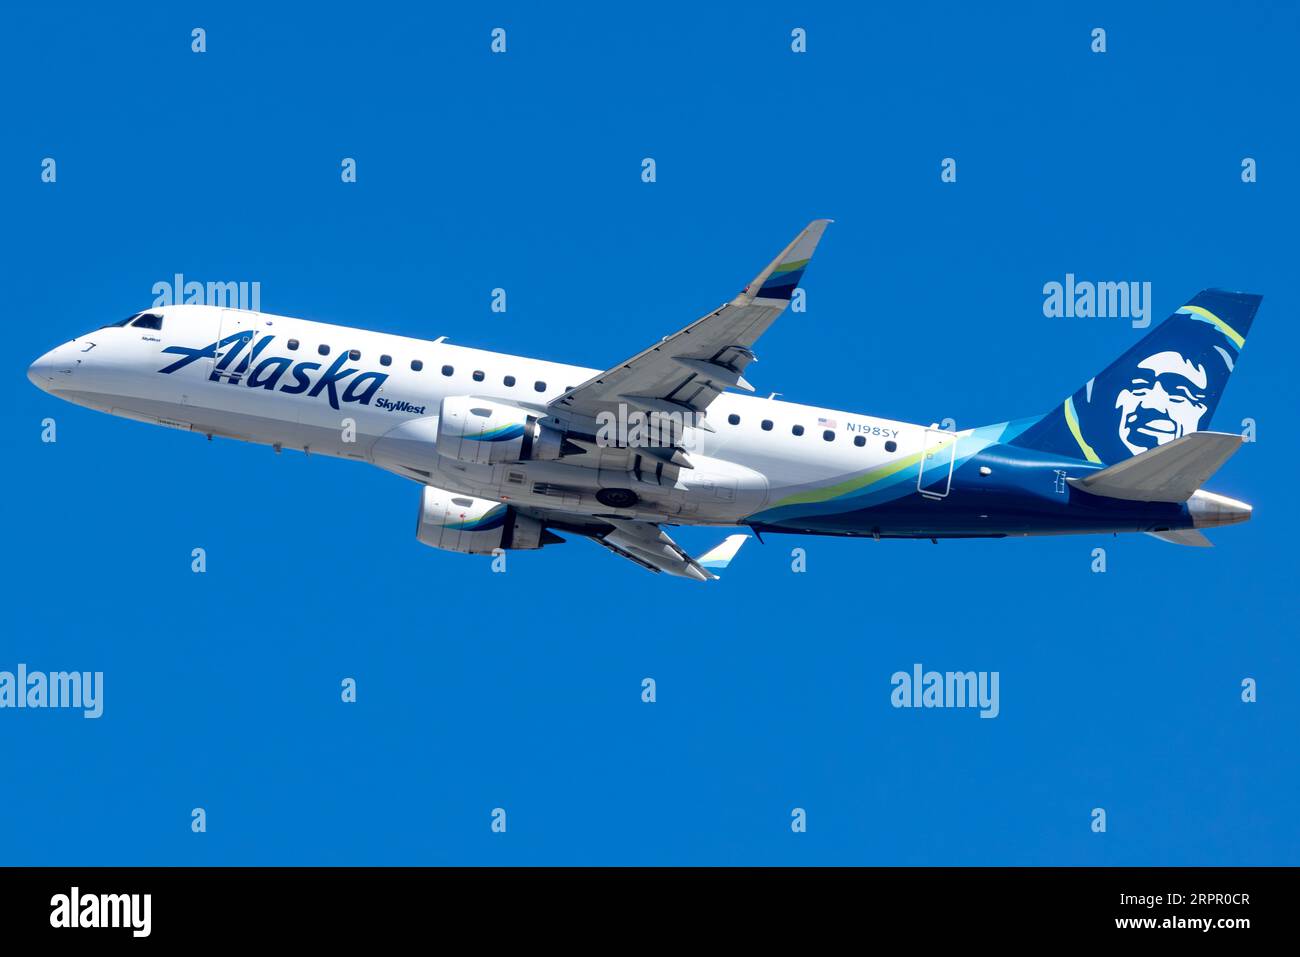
column 515, row 453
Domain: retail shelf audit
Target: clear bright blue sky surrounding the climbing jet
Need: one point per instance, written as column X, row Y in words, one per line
column 522, row 691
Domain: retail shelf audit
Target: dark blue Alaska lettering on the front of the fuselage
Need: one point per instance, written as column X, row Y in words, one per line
column 266, row 374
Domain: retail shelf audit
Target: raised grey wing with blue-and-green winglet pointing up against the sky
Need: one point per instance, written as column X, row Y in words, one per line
column 687, row 371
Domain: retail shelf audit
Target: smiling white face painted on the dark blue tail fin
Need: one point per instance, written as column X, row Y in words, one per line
column 1164, row 401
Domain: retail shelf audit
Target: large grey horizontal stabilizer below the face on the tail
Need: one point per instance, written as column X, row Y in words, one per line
column 1169, row 473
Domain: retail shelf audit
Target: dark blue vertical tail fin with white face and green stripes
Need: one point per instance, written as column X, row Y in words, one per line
column 1165, row 387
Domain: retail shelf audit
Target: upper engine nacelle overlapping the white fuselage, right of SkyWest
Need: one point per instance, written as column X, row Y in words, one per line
column 486, row 434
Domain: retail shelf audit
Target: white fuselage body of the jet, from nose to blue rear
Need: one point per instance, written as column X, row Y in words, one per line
column 383, row 409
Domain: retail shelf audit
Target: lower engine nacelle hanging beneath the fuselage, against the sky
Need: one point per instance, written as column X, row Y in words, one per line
column 475, row 526
